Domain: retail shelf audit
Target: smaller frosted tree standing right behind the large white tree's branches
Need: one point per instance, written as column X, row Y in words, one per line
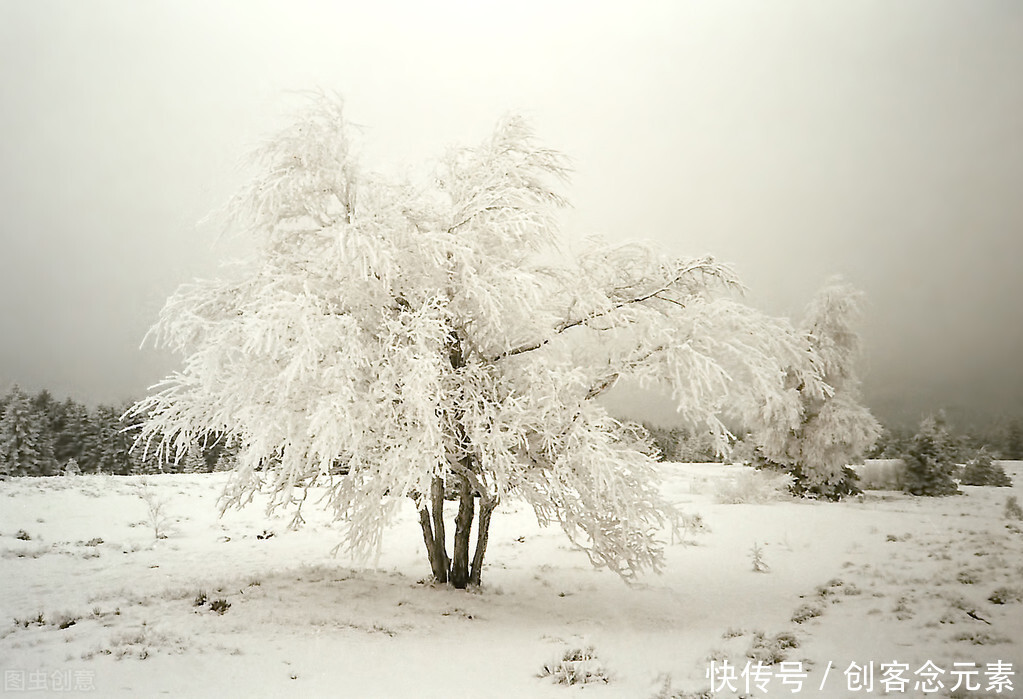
column 836, row 429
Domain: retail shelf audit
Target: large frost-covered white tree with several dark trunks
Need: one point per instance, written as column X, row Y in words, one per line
column 394, row 340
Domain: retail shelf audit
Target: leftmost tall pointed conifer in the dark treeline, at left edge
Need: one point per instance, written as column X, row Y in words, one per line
column 26, row 448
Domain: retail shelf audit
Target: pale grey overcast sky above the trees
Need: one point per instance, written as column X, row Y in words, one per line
column 878, row 141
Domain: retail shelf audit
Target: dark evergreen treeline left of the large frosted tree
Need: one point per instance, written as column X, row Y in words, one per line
column 41, row 436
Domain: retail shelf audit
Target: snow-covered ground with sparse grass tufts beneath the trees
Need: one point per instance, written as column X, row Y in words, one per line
column 94, row 602
